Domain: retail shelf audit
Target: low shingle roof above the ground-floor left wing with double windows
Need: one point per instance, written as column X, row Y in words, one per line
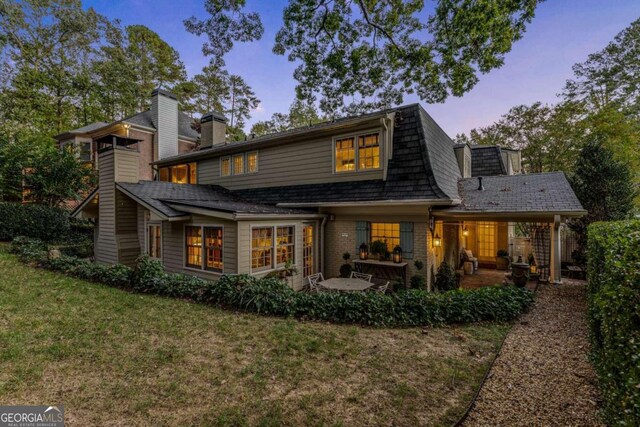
column 164, row 196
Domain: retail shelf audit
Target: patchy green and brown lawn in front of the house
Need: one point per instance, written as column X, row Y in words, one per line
column 115, row 358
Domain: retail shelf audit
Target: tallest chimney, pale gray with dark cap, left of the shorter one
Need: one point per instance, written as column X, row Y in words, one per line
column 164, row 115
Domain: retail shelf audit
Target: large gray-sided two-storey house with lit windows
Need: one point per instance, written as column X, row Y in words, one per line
column 308, row 195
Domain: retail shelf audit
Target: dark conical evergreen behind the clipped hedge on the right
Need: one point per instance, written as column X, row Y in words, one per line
column 604, row 187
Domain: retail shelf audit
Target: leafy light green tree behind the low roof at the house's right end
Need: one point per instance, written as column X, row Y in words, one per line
column 550, row 136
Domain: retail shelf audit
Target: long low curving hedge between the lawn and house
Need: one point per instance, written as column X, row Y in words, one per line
column 272, row 296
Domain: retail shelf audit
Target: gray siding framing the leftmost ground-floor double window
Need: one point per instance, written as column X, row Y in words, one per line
column 173, row 254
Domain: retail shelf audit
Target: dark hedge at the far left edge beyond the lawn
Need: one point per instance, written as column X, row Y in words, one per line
column 41, row 222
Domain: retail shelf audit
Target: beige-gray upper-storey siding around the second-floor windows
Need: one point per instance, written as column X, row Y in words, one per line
column 308, row 162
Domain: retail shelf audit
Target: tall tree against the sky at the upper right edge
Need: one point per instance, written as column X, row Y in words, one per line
column 610, row 76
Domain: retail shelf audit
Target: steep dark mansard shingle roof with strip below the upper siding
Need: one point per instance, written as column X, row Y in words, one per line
column 419, row 170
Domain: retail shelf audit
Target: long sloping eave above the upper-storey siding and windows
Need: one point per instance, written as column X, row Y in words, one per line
column 286, row 137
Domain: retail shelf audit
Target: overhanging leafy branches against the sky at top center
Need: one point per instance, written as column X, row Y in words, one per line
column 375, row 51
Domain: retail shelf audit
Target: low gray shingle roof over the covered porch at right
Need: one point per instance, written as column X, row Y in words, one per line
column 542, row 192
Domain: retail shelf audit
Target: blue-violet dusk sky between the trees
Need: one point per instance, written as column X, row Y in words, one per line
column 562, row 33
